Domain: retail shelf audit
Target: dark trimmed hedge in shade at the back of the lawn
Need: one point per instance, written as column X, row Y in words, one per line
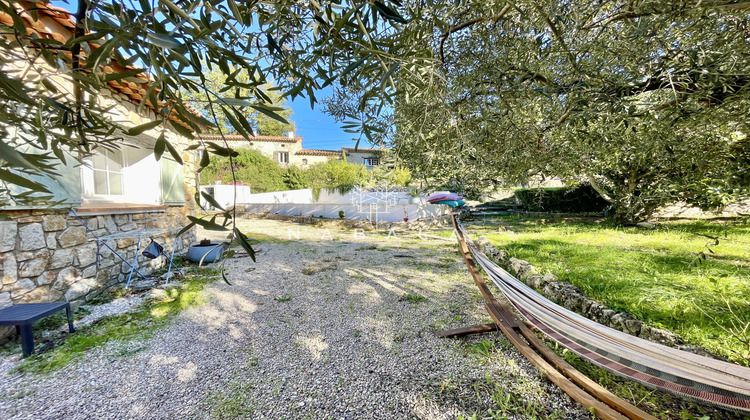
column 581, row 198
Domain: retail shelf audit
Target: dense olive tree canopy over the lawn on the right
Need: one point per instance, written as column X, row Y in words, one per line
column 647, row 100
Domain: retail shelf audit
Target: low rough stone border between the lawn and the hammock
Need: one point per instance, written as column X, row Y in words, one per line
column 570, row 297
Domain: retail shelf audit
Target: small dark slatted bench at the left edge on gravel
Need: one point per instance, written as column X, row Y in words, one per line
column 24, row 315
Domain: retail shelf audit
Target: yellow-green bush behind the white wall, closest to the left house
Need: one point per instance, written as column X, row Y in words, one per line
column 251, row 168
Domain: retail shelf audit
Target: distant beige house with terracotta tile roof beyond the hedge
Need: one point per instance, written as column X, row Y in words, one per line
column 288, row 151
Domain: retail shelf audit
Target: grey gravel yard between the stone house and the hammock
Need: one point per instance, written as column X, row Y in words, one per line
column 319, row 328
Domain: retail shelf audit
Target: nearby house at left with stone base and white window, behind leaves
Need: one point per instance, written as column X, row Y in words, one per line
column 46, row 254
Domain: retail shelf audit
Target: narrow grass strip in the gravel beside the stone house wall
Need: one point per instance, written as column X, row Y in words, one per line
column 140, row 324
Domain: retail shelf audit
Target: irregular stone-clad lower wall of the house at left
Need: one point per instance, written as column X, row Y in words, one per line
column 49, row 256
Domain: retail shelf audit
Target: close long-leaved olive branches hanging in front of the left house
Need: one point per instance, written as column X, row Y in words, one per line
column 169, row 49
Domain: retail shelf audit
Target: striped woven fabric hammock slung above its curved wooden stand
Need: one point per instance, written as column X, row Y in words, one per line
column 686, row 374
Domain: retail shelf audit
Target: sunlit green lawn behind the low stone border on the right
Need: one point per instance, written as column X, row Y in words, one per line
column 656, row 275
